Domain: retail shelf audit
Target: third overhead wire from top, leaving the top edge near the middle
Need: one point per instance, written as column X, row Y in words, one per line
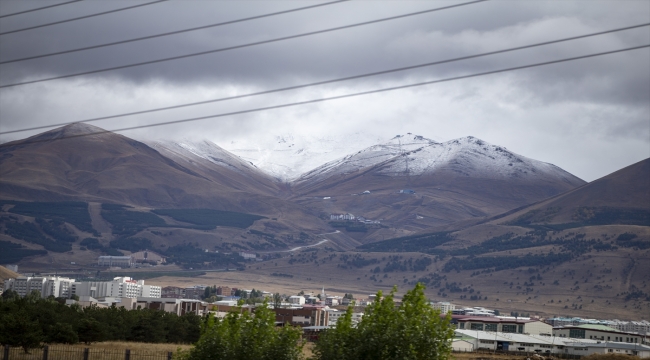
column 172, row 32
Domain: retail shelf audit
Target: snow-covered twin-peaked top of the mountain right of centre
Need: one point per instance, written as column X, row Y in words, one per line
column 414, row 155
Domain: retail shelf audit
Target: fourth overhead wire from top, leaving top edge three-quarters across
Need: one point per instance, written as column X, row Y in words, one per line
column 243, row 45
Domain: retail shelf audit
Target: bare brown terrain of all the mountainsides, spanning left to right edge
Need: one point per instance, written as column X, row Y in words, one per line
column 583, row 251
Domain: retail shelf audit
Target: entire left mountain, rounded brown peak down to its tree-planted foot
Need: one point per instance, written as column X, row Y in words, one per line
column 80, row 181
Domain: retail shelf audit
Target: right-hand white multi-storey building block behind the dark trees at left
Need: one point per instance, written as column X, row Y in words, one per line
column 120, row 287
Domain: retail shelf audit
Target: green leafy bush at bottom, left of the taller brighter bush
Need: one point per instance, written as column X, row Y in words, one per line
column 243, row 336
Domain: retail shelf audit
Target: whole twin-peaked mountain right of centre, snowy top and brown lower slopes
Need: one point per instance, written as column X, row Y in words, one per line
column 459, row 179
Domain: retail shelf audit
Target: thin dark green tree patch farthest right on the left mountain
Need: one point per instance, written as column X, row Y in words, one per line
column 209, row 218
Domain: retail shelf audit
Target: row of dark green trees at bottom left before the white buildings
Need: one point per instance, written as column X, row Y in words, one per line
column 29, row 321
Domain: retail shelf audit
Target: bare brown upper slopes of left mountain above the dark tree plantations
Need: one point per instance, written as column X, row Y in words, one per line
column 84, row 162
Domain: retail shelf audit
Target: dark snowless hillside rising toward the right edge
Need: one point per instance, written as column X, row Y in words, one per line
column 584, row 252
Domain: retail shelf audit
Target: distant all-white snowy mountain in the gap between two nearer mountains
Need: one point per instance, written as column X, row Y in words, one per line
column 288, row 156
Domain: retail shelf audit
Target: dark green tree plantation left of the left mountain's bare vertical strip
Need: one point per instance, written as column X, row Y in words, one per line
column 72, row 212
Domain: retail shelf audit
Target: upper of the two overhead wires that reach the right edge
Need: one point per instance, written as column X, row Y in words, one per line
column 332, row 80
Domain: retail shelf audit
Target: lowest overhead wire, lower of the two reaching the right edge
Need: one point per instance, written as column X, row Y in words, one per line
column 336, row 97
